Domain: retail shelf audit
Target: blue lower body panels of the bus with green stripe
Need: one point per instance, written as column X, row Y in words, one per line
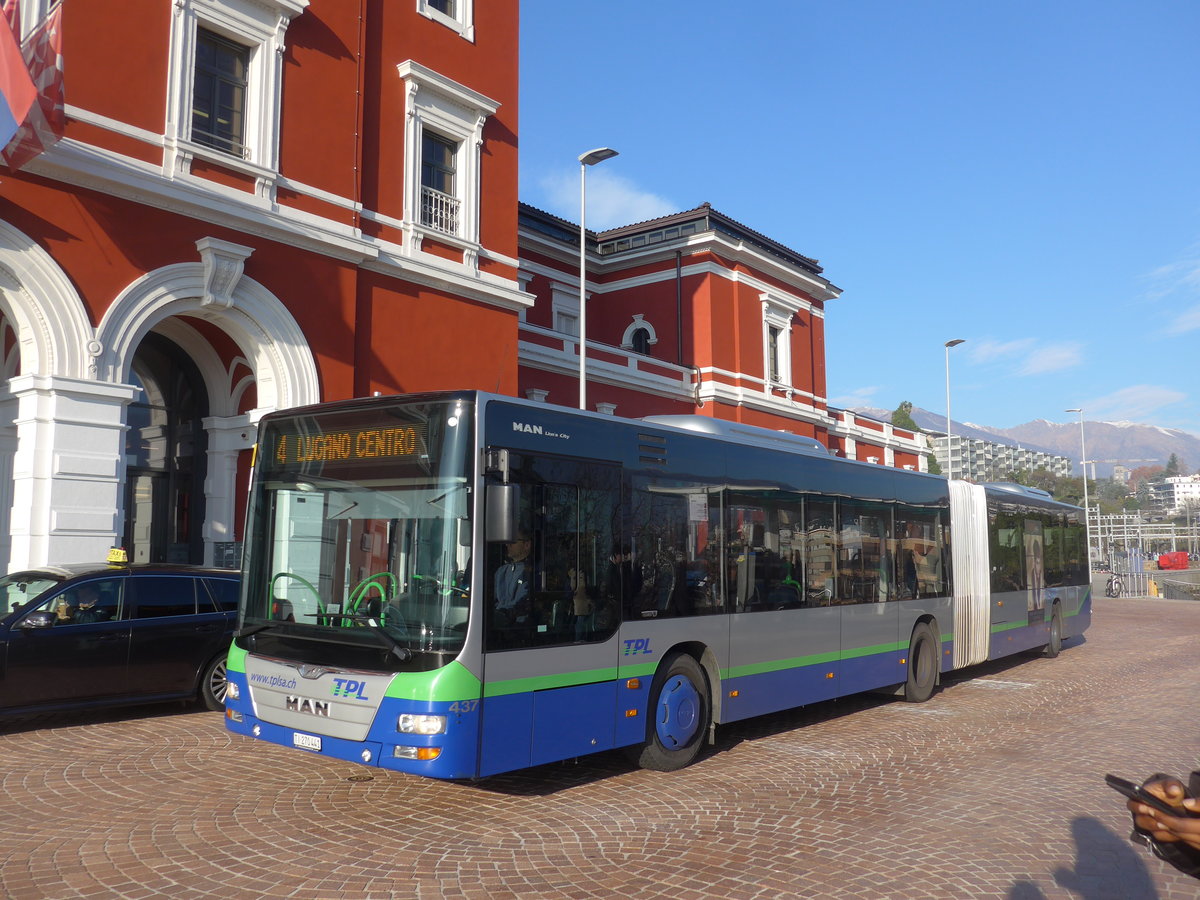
column 527, row 721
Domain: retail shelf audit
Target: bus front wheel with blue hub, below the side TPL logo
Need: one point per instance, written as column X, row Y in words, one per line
column 681, row 710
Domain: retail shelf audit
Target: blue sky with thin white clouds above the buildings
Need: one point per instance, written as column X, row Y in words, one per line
column 1021, row 175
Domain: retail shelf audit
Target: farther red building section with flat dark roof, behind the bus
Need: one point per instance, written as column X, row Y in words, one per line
column 691, row 314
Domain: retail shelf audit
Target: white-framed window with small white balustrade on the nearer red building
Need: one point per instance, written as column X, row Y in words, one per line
column 443, row 143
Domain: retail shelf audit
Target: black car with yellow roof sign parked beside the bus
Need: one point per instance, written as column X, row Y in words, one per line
column 100, row 635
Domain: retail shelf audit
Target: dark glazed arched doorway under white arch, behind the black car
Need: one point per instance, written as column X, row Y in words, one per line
column 165, row 457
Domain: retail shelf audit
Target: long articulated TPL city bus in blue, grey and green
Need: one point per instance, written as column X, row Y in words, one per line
column 458, row 585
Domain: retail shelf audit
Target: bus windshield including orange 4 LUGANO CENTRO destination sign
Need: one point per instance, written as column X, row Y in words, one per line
column 361, row 526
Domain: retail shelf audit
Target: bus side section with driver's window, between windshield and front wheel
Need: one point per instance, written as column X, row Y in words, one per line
column 553, row 615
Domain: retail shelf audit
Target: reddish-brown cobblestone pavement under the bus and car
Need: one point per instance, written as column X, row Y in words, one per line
column 994, row 789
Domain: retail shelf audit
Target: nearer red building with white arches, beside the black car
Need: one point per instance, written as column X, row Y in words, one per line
column 269, row 203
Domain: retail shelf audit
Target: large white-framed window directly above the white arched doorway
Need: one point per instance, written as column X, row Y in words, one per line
column 225, row 81
